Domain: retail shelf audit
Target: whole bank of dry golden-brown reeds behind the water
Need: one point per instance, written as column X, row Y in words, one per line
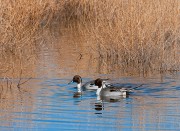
column 142, row 34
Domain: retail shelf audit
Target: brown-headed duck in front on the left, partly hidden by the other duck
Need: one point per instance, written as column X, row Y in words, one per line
column 88, row 85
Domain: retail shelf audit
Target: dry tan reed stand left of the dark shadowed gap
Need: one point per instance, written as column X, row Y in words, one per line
column 21, row 27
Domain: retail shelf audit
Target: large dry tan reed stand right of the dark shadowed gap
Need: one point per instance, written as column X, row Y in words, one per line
column 143, row 34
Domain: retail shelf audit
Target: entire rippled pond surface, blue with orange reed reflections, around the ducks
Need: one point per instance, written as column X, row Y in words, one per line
column 46, row 102
